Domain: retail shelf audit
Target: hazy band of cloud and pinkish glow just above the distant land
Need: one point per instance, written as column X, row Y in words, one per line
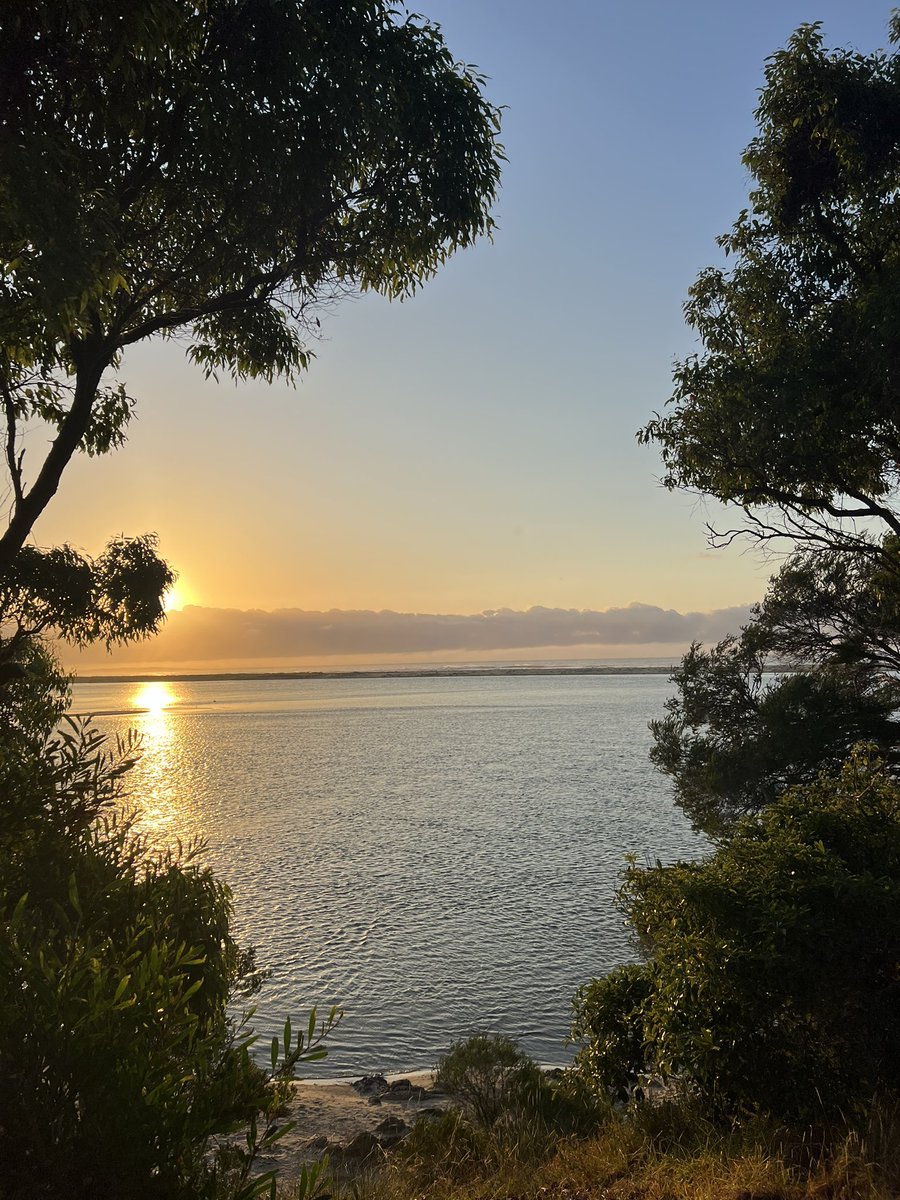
column 201, row 639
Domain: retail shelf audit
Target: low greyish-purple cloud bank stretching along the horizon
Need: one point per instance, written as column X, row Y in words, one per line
column 199, row 634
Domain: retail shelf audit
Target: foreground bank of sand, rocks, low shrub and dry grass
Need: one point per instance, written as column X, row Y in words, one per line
column 473, row 1135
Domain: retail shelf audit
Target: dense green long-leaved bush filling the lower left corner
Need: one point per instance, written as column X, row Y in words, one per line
column 121, row 1070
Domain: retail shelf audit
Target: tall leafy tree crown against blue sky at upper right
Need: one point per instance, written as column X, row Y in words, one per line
column 791, row 409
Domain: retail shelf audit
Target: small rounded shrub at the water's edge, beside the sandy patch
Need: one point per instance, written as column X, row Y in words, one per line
column 489, row 1075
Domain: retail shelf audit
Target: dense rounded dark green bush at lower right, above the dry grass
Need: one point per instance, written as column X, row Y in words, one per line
column 771, row 980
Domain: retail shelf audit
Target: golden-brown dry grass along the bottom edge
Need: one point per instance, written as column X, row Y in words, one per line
column 650, row 1156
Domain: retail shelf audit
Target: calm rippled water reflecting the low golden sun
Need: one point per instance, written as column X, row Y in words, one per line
column 436, row 856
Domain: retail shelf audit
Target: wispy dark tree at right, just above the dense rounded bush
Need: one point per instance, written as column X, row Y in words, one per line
column 735, row 737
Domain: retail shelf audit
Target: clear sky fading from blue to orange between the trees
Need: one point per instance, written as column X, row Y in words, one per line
column 473, row 449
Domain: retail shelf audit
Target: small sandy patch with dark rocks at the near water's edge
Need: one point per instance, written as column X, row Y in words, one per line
column 349, row 1124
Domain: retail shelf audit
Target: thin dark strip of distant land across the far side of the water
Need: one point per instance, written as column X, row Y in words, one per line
column 395, row 674
